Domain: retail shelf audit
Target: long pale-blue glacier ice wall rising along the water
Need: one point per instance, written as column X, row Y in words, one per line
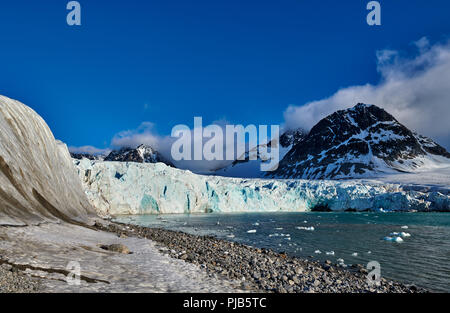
column 118, row 188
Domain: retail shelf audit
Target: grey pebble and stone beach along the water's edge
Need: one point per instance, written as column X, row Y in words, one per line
column 260, row 270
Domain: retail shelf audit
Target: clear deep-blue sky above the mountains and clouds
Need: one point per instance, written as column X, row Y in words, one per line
column 167, row 61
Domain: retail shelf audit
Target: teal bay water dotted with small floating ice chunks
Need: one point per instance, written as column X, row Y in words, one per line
column 422, row 259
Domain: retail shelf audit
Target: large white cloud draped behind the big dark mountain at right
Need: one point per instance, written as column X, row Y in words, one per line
column 415, row 90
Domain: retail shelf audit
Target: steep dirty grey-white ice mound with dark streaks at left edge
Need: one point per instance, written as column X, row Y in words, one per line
column 37, row 180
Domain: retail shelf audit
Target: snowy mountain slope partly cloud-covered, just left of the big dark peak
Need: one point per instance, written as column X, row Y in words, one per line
column 247, row 168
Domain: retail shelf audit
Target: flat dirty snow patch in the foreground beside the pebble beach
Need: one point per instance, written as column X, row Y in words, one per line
column 54, row 246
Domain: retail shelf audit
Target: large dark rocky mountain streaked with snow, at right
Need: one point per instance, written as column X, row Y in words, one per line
column 359, row 142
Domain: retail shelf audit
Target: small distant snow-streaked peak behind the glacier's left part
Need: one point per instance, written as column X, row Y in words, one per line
column 141, row 154
